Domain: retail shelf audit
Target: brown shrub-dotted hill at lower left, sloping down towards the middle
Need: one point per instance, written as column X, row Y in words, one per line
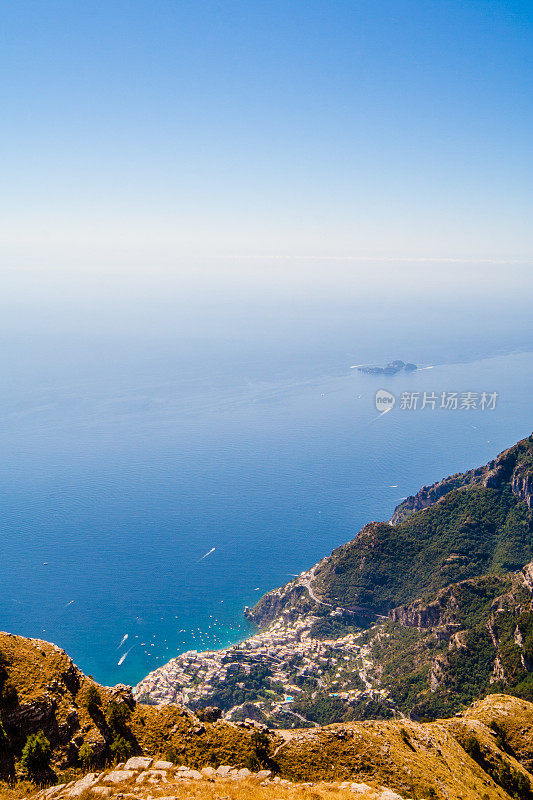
column 42, row 690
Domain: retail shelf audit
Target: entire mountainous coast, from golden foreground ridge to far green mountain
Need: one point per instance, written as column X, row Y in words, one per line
column 408, row 654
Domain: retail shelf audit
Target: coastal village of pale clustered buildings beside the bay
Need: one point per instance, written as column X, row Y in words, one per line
column 299, row 667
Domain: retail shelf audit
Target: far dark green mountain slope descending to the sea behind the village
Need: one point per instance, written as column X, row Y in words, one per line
column 465, row 526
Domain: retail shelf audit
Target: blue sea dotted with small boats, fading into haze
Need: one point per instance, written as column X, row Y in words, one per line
column 168, row 456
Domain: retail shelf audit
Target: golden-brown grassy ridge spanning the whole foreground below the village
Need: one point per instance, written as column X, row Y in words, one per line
column 483, row 752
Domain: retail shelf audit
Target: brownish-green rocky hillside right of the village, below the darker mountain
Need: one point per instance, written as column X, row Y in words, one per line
column 472, row 638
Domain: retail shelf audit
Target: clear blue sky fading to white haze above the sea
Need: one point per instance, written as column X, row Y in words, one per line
column 361, row 129
